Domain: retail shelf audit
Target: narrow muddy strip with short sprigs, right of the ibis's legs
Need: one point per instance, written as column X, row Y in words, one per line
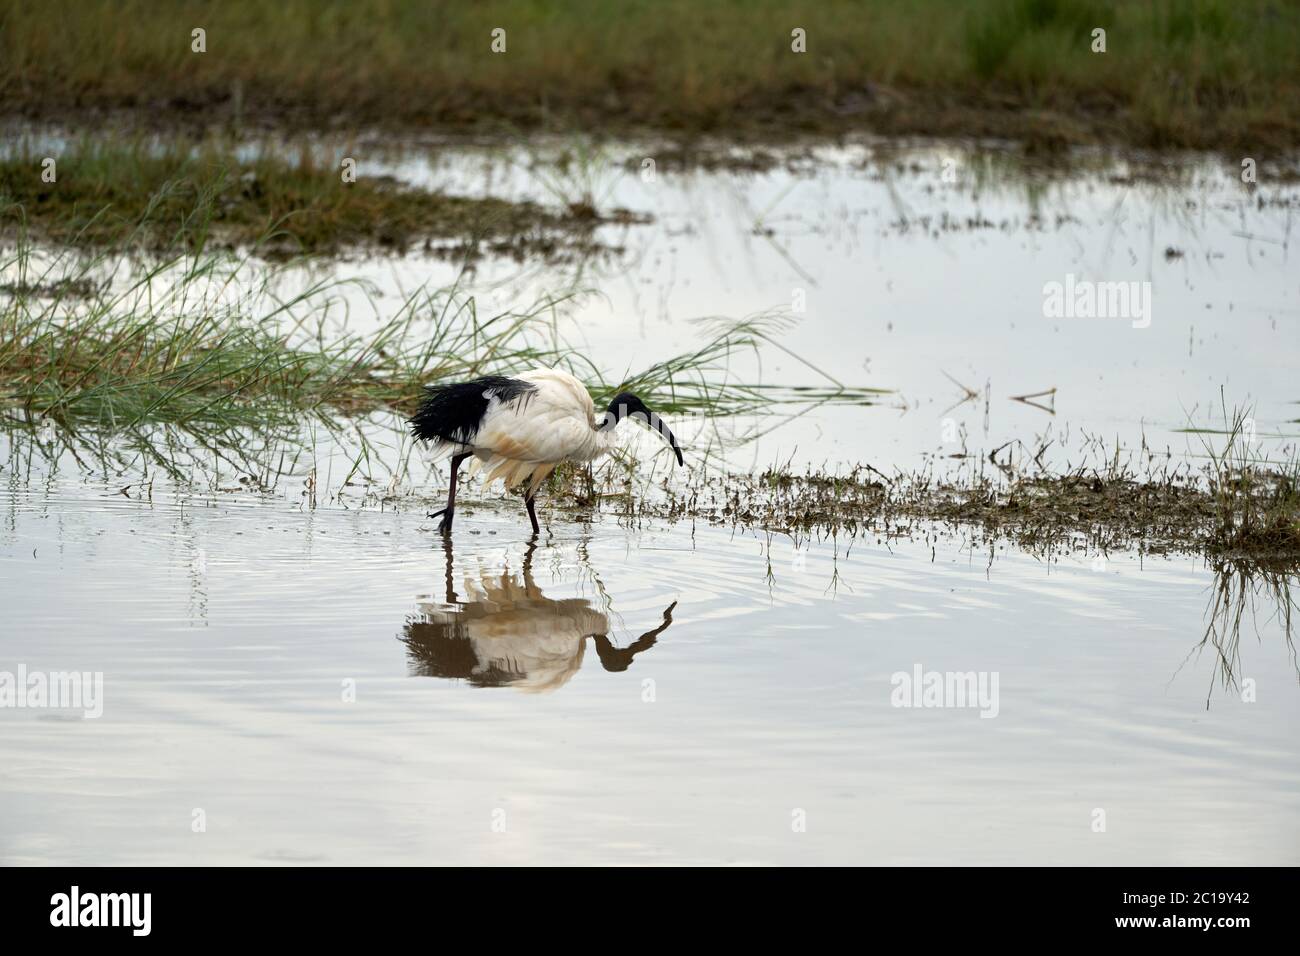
column 1242, row 513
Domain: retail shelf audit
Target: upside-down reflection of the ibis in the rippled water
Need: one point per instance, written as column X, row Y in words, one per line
column 508, row 633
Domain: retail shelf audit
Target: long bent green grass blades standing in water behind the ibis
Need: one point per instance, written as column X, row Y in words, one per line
column 202, row 340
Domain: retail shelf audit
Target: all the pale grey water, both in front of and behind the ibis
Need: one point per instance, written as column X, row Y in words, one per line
column 327, row 682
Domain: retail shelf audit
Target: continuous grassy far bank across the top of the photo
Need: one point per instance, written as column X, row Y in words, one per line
column 1219, row 73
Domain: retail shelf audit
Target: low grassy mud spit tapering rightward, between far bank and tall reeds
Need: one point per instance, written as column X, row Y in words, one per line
column 174, row 196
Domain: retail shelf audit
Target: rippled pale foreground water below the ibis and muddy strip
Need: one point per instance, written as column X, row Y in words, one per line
column 547, row 715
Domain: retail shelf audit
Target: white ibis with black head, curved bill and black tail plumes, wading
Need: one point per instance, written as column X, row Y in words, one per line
column 521, row 429
